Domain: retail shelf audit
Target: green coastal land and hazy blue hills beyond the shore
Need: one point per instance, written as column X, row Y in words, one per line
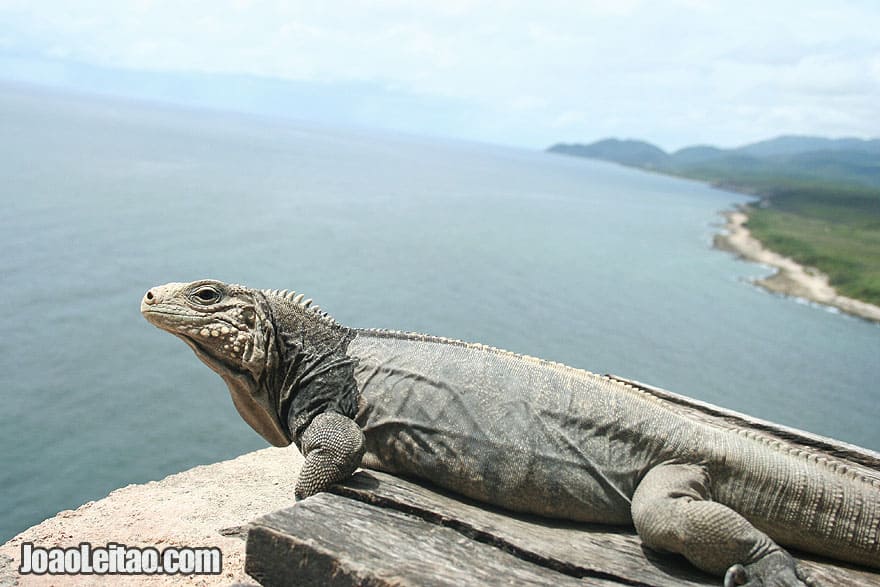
column 820, row 198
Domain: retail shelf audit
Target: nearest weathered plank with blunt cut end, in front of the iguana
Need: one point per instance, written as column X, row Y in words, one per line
column 331, row 540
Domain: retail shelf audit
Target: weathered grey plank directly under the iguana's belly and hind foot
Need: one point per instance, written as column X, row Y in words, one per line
column 587, row 550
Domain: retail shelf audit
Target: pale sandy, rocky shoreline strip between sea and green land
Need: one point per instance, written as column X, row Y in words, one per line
column 791, row 278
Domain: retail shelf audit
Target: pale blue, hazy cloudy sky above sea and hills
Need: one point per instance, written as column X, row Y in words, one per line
column 523, row 73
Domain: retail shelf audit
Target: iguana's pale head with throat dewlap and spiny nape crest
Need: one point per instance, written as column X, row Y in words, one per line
column 232, row 329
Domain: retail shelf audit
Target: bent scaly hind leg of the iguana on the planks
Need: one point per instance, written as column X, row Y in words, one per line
column 672, row 511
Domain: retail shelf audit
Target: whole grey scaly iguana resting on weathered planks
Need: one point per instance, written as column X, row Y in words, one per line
column 522, row 433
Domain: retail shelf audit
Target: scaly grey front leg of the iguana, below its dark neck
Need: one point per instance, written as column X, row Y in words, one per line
column 333, row 446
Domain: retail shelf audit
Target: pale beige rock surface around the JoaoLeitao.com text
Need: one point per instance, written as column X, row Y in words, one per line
column 209, row 505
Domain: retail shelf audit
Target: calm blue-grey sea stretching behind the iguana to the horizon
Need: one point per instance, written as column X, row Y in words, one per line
column 581, row 262
